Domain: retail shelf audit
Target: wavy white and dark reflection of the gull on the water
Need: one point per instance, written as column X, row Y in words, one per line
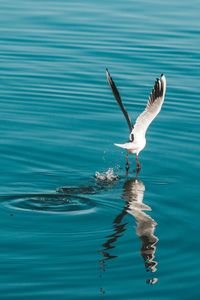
column 133, row 194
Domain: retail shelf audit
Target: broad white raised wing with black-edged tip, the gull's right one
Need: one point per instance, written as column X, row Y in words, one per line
column 153, row 107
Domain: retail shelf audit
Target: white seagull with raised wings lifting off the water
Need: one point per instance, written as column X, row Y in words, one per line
column 137, row 140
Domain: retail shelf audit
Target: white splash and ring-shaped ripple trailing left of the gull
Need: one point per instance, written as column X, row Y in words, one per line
column 66, row 200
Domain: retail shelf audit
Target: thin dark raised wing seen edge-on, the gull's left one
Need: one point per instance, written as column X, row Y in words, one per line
column 119, row 100
